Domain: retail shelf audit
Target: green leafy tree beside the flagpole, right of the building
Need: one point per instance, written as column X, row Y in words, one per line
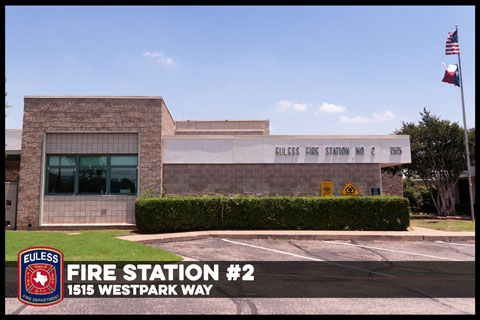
column 438, row 157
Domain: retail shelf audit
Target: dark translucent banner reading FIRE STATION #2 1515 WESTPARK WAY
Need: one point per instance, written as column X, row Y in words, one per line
column 263, row 279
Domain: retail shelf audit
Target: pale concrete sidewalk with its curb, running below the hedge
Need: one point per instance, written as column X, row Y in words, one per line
column 414, row 234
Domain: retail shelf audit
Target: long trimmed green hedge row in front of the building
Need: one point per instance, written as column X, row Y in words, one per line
column 176, row 214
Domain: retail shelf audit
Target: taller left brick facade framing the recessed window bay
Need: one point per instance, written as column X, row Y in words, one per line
column 42, row 114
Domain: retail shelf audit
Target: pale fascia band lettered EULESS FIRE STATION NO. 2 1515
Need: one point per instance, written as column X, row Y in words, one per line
column 278, row 149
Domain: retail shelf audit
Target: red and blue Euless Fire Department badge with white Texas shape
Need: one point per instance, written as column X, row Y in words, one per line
column 40, row 276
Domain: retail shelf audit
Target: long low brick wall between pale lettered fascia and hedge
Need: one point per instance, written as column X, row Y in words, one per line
column 267, row 179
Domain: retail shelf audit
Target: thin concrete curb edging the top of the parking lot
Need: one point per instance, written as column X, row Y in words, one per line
column 185, row 236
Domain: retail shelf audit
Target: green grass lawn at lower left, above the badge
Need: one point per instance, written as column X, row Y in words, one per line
column 86, row 246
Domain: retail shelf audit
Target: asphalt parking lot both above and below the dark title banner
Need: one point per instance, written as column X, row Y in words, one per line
column 216, row 249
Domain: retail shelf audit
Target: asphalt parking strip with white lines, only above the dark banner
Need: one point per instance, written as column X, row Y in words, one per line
column 214, row 249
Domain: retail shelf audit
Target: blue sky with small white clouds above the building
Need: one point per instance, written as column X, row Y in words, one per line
column 309, row 70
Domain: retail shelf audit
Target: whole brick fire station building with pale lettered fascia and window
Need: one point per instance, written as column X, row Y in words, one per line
column 82, row 161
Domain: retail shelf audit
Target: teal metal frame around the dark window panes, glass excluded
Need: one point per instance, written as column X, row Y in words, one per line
column 77, row 167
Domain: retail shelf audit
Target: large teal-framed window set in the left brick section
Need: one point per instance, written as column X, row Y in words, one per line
column 91, row 174
